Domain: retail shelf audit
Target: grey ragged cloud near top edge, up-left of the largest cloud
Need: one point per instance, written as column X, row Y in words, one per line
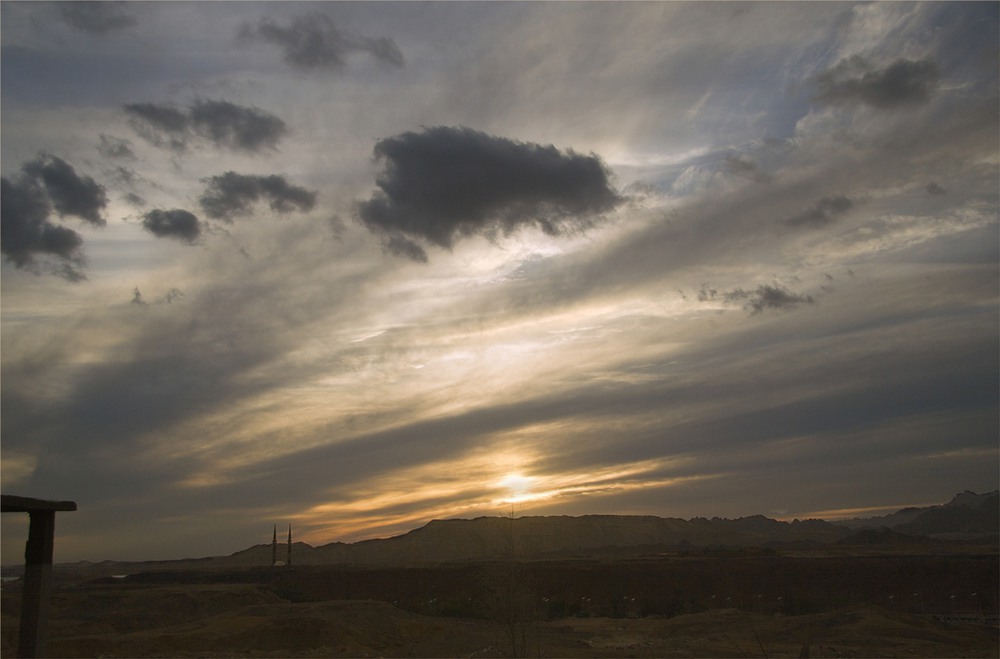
column 313, row 42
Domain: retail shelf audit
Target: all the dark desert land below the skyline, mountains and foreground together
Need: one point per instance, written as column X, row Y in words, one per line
column 916, row 583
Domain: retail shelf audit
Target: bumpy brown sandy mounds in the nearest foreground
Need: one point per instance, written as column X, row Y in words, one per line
column 223, row 620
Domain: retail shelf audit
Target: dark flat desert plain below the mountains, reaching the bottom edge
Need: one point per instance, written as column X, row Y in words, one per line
column 678, row 606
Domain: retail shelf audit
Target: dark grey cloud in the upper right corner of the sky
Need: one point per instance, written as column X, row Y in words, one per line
column 855, row 80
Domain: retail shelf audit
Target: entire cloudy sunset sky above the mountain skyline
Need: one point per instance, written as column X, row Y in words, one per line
column 357, row 266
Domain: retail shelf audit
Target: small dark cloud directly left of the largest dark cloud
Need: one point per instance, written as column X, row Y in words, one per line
column 232, row 194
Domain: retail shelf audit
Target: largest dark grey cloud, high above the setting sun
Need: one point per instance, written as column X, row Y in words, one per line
column 444, row 183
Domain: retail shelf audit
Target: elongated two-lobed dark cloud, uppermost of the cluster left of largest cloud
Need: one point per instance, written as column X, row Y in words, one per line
column 224, row 124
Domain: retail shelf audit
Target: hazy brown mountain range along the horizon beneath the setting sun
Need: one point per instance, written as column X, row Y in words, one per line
column 968, row 516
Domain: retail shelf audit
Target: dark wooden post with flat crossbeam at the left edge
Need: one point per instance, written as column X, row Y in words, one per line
column 37, row 567
